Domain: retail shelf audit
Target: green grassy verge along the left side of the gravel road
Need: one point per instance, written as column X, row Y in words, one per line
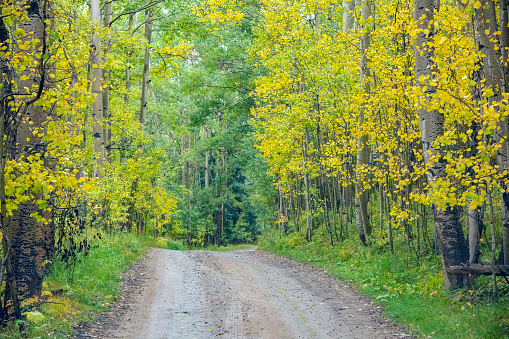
column 93, row 288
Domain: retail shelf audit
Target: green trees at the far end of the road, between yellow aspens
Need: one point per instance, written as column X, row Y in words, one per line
column 207, row 111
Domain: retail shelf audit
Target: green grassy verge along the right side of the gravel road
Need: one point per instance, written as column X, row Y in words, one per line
column 410, row 293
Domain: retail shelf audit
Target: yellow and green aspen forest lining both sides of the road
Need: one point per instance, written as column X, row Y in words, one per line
column 222, row 122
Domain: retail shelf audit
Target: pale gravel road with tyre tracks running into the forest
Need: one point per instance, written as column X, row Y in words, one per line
column 238, row 294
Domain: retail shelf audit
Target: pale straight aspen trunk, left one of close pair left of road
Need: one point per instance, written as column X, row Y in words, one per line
column 97, row 106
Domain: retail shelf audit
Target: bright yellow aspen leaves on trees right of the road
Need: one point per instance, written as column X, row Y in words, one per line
column 311, row 106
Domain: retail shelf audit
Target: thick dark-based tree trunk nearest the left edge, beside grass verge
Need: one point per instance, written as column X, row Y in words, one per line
column 29, row 242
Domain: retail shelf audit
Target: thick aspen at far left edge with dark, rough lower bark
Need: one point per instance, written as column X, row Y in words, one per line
column 27, row 241
